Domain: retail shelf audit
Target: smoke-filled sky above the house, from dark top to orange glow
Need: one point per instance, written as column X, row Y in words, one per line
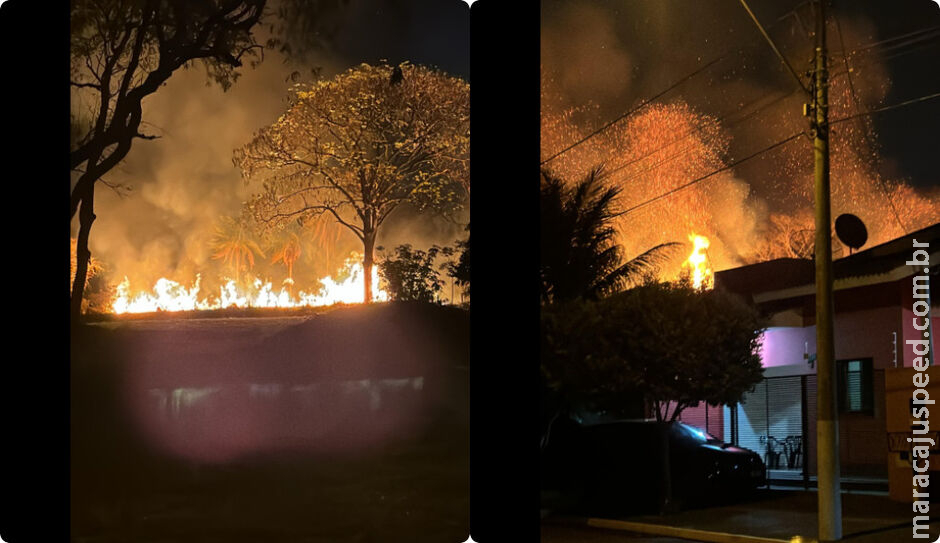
column 600, row 59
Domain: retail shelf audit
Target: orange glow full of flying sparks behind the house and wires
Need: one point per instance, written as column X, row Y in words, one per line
column 749, row 216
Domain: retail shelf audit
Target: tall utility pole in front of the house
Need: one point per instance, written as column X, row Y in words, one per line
column 827, row 418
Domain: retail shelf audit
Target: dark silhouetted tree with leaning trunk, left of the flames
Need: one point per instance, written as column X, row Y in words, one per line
column 122, row 52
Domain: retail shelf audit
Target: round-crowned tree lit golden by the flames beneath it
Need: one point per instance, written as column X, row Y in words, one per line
column 358, row 146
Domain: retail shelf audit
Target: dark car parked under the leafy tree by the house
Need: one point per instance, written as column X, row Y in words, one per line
column 625, row 466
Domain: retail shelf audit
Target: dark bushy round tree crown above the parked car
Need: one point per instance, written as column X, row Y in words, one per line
column 672, row 344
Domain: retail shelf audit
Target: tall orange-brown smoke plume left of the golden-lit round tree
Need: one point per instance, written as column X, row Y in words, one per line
column 185, row 180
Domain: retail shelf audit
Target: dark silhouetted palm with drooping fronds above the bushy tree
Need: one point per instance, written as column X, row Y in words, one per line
column 579, row 258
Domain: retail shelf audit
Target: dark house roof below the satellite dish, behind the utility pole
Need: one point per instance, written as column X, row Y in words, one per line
column 790, row 273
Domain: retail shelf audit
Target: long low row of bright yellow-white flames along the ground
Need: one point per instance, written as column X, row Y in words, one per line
column 168, row 295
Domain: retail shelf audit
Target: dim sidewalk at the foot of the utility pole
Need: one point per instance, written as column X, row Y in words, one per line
column 777, row 515
